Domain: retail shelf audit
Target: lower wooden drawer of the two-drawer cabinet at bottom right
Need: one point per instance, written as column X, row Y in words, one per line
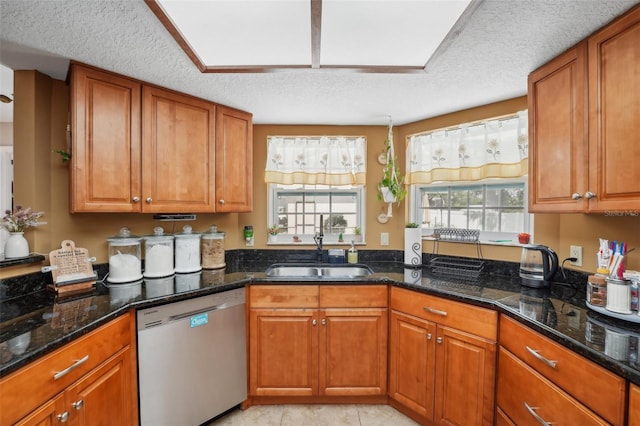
column 527, row 398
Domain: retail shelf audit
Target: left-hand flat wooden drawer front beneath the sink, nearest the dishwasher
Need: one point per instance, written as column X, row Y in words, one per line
column 283, row 296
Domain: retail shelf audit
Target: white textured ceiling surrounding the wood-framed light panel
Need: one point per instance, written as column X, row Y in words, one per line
column 487, row 60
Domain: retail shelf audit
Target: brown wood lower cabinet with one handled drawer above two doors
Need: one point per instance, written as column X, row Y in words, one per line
column 440, row 374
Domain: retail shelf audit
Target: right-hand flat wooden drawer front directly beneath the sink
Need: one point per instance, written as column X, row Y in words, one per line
column 353, row 296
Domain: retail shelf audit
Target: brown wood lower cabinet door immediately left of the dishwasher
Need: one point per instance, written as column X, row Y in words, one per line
column 105, row 396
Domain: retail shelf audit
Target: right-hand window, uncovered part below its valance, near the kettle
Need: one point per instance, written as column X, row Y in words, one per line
column 498, row 209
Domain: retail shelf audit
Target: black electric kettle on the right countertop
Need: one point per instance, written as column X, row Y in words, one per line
column 538, row 265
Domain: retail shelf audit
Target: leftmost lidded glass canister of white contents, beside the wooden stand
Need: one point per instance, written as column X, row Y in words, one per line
column 124, row 257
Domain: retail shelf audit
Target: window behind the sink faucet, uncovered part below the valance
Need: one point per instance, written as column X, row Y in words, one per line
column 297, row 209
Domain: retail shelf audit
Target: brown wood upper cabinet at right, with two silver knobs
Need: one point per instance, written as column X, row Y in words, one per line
column 583, row 124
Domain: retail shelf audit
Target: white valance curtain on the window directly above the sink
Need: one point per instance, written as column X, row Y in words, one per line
column 316, row 160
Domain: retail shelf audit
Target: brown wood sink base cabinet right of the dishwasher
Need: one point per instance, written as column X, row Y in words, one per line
column 317, row 341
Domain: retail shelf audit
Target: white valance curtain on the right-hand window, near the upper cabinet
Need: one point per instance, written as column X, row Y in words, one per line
column 491, row 149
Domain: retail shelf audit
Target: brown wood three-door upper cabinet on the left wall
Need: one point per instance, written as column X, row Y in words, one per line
column 141, row 148
